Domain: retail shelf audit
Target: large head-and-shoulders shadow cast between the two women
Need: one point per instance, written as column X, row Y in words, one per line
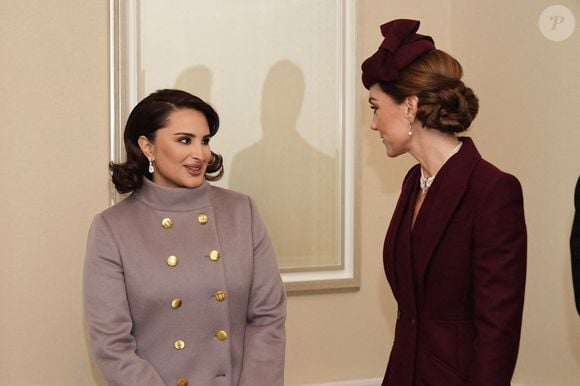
column 294, row 184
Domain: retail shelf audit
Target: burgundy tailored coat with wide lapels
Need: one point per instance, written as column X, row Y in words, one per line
column 458, row 277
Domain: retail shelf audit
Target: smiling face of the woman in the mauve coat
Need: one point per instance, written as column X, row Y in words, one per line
column 180, row 150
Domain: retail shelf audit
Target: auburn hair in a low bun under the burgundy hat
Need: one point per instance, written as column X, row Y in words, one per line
column 445, row 103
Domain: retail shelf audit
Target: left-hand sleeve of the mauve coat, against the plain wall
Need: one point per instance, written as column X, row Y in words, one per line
column 108, row 315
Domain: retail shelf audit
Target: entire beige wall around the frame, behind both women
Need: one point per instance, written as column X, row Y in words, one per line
column 54, row 141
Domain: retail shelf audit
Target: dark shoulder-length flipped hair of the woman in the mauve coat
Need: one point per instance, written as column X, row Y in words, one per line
column 146, row 118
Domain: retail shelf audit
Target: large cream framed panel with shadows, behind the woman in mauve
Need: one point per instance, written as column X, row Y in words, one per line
column 280, row 73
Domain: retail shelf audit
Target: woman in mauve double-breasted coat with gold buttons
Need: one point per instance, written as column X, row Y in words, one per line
column 181, row 285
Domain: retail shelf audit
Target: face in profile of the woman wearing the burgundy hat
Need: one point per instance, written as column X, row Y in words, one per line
column 391, row 120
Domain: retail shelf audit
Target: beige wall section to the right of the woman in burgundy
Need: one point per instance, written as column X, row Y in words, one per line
column 530, row 125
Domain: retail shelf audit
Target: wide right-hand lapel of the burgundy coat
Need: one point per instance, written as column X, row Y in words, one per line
column 444, row 195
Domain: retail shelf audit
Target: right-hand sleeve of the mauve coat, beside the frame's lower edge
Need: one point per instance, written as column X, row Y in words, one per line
column 264, row 343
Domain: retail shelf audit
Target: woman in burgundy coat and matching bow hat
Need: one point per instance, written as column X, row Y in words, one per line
column 455, row 250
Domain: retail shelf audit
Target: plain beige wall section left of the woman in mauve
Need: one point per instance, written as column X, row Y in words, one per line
column 53, row 136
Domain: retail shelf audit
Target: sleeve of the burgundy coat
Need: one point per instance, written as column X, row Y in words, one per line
column 499, row 270
